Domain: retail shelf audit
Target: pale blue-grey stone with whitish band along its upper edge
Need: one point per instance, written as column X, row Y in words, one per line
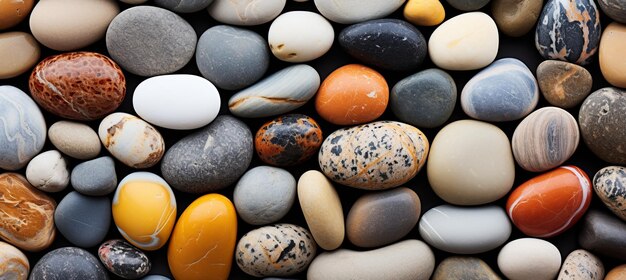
column 504, row 91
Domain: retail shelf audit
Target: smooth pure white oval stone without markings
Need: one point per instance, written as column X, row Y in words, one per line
column 179, row 101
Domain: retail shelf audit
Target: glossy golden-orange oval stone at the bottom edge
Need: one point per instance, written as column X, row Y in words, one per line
column 203, row 242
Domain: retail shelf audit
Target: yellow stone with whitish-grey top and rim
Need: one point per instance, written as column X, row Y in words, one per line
column 144, row 210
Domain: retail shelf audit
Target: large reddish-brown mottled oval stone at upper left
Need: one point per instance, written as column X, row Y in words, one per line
column 78, row 85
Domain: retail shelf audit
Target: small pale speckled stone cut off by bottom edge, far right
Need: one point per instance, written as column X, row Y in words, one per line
column 581, row 264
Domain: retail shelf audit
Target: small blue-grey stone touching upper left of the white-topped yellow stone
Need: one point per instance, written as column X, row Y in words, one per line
column 95, row 177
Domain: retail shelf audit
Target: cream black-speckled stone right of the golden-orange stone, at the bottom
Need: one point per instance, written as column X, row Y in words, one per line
column 277, row 250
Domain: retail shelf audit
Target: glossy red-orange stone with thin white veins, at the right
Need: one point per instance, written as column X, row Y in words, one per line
column 550, row 203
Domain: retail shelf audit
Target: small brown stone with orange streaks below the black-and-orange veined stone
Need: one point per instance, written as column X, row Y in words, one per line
column 563, row 84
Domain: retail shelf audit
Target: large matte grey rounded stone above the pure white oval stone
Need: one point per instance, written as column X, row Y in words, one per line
column 150, row 41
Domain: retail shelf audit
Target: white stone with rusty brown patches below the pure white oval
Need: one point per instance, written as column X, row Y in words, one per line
column 131, row 140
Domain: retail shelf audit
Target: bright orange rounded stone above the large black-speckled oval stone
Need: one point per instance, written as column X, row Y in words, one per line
column 352, row 94
